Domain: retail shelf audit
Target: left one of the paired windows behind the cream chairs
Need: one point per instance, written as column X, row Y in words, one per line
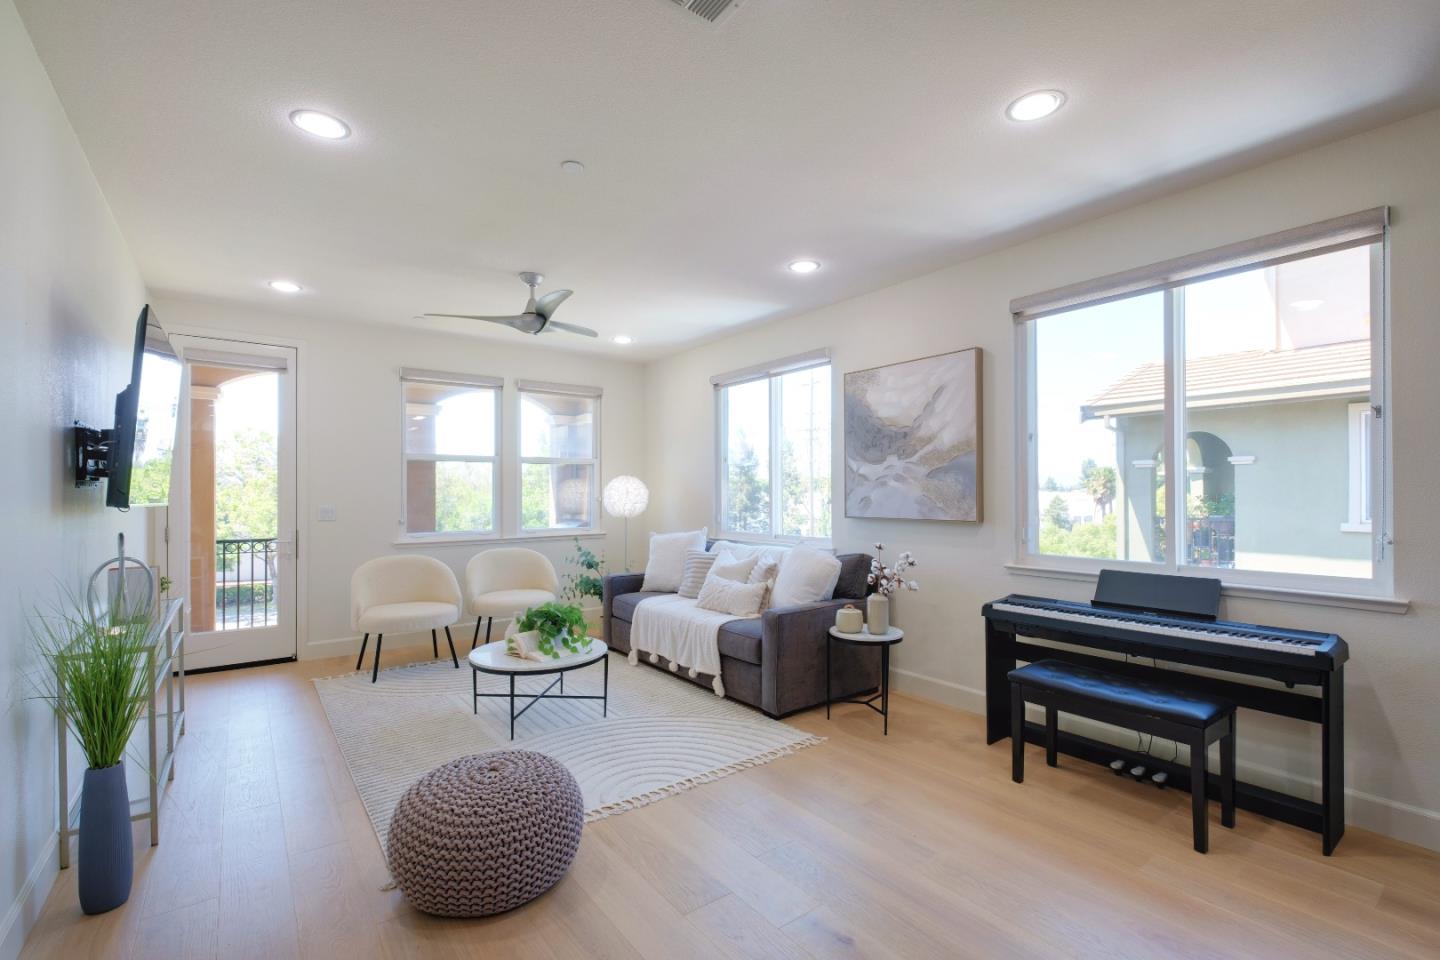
column 451, row 448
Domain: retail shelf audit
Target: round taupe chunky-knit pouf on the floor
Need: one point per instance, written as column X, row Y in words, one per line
column 486, row 834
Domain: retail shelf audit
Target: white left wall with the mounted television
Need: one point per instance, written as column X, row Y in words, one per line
column 70, row 296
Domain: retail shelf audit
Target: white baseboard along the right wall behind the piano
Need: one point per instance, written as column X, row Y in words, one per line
column 1393, row 818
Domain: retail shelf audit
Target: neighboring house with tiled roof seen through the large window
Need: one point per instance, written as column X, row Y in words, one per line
column 1275, row 440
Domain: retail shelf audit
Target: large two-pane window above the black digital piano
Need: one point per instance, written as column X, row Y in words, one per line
column 1219, row 418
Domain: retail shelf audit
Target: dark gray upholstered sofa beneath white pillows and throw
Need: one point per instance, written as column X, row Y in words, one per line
column 777, row 661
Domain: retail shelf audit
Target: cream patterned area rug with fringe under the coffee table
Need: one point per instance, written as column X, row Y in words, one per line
column 663, row 735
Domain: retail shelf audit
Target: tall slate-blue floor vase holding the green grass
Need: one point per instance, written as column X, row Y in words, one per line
column 107, row 857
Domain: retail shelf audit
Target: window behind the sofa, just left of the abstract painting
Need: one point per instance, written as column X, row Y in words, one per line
column 774, row 450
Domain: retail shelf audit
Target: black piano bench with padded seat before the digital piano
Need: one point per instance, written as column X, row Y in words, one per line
column 1144, row 706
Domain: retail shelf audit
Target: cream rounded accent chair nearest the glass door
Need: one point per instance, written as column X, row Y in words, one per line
column 404, row 595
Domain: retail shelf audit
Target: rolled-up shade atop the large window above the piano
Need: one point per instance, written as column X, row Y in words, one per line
column 1356, row 230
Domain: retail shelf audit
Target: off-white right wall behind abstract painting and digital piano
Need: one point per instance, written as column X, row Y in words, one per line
column 1393, row 710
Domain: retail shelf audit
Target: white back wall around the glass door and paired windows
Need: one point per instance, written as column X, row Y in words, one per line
column 351, row 440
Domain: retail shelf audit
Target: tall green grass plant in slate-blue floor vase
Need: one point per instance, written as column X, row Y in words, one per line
column 97, row 680
